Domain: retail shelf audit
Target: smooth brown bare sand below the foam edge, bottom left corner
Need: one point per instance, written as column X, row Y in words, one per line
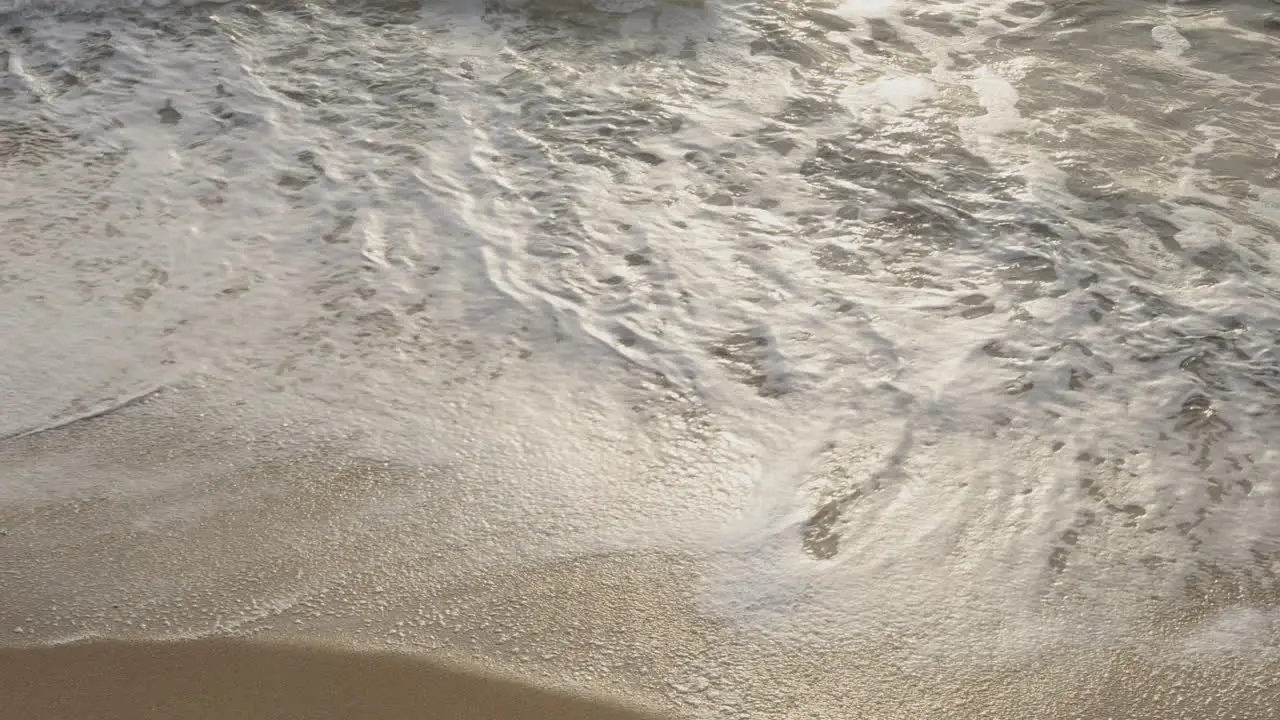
column 239, row 680
